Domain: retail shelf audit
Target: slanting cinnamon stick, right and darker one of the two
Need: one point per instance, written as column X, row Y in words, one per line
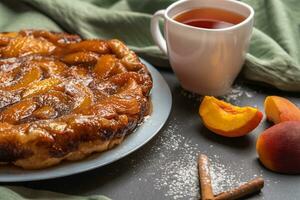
column 250, row 187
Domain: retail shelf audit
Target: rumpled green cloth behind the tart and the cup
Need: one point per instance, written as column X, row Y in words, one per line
column 274, row 54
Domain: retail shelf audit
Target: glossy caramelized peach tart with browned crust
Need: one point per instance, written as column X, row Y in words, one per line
column 63, row 98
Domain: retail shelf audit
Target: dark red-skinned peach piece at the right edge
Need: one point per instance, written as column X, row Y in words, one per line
column 278, row 147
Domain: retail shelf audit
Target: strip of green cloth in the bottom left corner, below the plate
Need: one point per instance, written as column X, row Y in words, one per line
column 21, row 193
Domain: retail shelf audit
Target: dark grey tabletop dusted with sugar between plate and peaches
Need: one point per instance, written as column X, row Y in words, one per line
column 165, row 168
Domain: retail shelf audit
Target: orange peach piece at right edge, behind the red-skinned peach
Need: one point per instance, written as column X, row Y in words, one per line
column 279, row 109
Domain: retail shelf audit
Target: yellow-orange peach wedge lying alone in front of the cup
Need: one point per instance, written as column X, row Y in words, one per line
column 228, row 120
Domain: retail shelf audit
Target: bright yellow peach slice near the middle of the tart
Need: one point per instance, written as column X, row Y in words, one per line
column 40, row 87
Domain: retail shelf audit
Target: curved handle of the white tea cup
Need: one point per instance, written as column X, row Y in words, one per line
column 156, row 33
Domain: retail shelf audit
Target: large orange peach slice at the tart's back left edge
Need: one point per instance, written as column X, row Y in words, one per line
column 21, row 46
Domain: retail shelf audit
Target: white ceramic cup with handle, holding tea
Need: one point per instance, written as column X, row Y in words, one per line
column 206, row 61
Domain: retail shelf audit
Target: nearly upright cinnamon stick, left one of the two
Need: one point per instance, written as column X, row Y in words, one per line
column 204, row 178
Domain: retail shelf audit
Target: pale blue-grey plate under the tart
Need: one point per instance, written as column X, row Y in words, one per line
column 161, row 100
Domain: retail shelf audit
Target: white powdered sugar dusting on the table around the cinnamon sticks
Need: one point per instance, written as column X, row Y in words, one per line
column 176, row 173
